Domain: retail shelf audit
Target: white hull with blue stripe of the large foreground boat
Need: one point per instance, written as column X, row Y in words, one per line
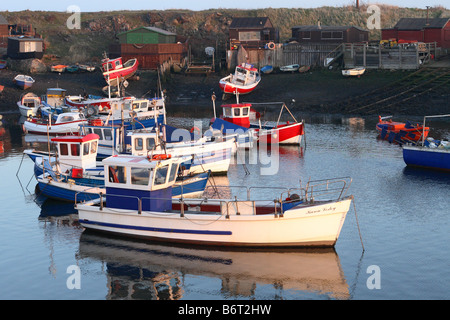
column 316, row 226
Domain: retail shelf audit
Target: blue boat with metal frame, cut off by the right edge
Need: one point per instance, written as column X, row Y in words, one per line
column 429, row 153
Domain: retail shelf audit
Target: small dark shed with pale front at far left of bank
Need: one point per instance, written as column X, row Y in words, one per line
column 24, row 47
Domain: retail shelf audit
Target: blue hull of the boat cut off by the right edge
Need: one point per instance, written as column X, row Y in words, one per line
column 425, row 157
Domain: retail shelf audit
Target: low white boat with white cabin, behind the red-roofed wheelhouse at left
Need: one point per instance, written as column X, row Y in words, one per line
column 65, row 123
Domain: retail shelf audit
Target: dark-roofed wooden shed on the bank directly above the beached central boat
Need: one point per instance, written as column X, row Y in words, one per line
column 252, row 32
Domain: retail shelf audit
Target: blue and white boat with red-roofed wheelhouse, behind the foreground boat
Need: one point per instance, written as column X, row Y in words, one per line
column 74, row 169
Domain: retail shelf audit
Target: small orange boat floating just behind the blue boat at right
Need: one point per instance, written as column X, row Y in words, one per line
column 401, row 132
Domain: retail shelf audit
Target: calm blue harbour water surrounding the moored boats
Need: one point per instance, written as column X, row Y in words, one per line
column 403, row 216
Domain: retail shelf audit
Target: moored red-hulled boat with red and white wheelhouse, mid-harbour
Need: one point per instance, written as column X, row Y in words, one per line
column 239, row 117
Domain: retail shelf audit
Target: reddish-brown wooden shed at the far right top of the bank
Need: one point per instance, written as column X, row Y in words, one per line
column 420, row 30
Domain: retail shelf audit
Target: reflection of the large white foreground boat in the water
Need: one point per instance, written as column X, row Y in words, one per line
column 145, row 270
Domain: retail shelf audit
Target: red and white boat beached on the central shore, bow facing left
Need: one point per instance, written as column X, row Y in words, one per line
column 243, row 81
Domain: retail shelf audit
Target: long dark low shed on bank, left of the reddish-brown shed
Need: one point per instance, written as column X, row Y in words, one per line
column 329, row 34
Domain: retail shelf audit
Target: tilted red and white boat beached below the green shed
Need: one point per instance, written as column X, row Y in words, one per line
column 115, row 72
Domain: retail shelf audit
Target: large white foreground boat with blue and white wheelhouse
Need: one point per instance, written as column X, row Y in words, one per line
column 150, row 212
